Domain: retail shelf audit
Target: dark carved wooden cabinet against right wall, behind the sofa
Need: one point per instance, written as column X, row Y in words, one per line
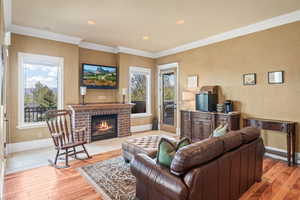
column 198, row 125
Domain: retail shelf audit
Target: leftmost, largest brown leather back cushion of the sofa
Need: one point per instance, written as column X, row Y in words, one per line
column 196, row 154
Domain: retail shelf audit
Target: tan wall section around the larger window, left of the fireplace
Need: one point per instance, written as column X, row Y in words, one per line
column 71, row 84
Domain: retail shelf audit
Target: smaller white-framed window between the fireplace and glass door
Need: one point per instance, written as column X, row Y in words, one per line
column 140, row 91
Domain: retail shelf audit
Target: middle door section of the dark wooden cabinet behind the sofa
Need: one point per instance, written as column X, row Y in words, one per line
column 201, row 129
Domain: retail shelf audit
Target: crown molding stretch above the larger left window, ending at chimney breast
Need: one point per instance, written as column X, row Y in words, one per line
column 43, row 34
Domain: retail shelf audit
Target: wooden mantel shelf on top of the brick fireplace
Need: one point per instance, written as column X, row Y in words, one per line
column 97, row 106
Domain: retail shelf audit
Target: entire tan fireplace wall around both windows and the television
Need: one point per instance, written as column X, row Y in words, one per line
column 73, row 58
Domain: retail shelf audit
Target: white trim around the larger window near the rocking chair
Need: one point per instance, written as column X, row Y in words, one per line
column 59, row 61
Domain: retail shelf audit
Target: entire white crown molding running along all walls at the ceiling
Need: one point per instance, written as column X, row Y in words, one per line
column 252, row 28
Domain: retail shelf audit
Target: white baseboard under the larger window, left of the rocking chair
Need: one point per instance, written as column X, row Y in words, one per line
column 29, row 145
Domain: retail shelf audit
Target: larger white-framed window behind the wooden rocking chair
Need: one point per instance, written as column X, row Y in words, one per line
column 40, row 88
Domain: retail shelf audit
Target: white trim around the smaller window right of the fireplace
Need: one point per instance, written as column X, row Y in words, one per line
column 147, row 72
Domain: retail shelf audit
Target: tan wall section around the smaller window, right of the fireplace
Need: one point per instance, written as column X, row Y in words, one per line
column 125, row 61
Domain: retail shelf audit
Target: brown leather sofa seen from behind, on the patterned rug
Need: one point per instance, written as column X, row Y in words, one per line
column 221, row 168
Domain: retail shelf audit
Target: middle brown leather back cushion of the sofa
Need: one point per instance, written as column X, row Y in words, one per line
column 231, row 140
